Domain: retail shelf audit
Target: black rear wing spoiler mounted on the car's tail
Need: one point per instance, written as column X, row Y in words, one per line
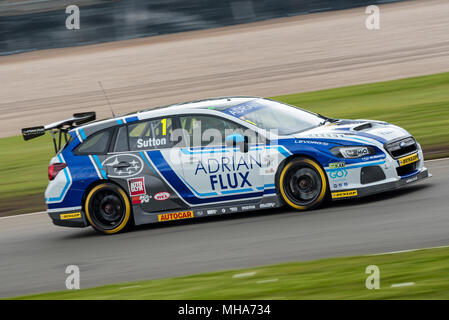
column 62, row 127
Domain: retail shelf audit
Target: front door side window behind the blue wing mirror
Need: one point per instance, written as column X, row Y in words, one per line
column 207, row 130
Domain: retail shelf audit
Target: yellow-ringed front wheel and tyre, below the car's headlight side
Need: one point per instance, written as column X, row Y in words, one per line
column 302, row 184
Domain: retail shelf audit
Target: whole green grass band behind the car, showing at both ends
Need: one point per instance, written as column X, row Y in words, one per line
column 420, row 105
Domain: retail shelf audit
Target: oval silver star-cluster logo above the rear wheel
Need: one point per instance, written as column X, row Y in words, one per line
column 123, row 165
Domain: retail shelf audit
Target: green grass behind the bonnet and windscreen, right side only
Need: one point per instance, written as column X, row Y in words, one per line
column 420, row 105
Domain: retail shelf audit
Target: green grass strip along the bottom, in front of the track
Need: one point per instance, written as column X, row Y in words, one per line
column 337, row 278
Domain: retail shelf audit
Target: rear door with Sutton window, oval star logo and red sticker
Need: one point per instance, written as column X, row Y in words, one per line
column 130, row 164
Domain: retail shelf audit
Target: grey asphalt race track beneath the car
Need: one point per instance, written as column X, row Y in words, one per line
column 35, row 253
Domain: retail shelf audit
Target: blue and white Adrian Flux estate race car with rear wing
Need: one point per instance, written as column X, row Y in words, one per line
column 217, row 156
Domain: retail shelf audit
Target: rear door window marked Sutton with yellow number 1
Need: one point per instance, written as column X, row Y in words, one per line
column 151, row 134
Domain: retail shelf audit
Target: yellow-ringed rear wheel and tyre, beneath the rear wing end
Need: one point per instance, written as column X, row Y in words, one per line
column 107, row 208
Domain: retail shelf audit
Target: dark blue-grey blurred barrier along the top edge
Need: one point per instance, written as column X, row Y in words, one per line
column 27, row 25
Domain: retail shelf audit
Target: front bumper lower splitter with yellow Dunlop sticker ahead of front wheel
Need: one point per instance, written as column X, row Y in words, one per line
column 366, row 191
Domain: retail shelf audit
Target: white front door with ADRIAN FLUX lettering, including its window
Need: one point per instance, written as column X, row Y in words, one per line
column 214, row 172
